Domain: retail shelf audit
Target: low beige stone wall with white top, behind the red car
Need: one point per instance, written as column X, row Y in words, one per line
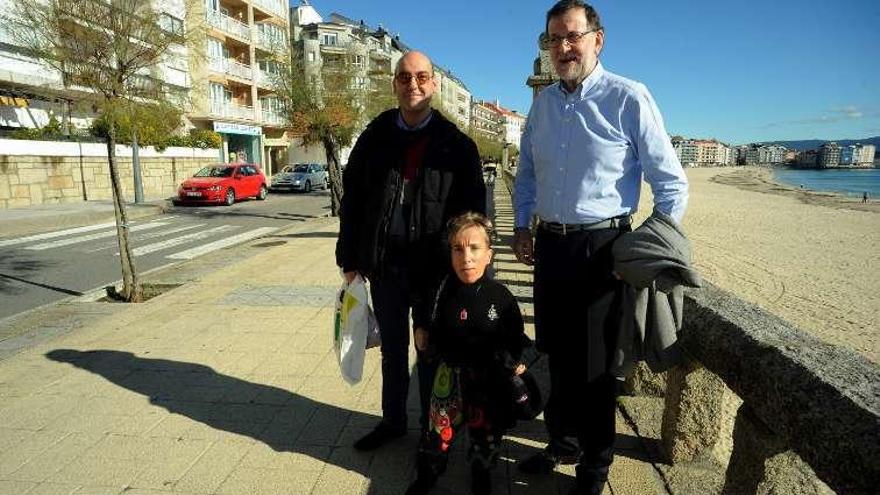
column 41, row 172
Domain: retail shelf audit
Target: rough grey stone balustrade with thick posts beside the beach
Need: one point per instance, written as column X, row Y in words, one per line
column 777, row 410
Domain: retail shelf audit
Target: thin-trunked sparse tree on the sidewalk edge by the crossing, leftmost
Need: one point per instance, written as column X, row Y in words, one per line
column 112, row 51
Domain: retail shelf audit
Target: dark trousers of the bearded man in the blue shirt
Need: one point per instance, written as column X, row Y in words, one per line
column 577, row 317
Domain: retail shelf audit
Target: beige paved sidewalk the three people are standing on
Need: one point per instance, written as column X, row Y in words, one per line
column 228, row 385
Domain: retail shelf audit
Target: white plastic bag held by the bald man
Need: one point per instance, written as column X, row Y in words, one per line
column 354, row 328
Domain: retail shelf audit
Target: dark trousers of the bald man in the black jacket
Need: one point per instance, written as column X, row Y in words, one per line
column 391, row 304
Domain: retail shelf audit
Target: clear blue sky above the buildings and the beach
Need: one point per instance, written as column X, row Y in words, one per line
column 739, row 72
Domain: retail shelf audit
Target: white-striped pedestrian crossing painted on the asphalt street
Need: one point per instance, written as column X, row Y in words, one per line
column 171, row 237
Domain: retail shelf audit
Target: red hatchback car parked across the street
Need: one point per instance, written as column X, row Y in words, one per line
column 224, row 184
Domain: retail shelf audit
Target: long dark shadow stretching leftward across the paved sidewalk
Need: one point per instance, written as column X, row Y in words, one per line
column 284, row 421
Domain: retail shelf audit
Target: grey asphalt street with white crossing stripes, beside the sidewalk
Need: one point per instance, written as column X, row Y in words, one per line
column 42, row 268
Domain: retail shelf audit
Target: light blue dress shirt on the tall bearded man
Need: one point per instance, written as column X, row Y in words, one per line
column 584, row 154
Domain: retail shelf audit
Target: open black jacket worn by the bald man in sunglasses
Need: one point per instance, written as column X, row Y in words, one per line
column 449, row 182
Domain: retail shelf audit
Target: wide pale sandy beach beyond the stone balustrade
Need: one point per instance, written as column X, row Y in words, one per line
column 811, row 258
